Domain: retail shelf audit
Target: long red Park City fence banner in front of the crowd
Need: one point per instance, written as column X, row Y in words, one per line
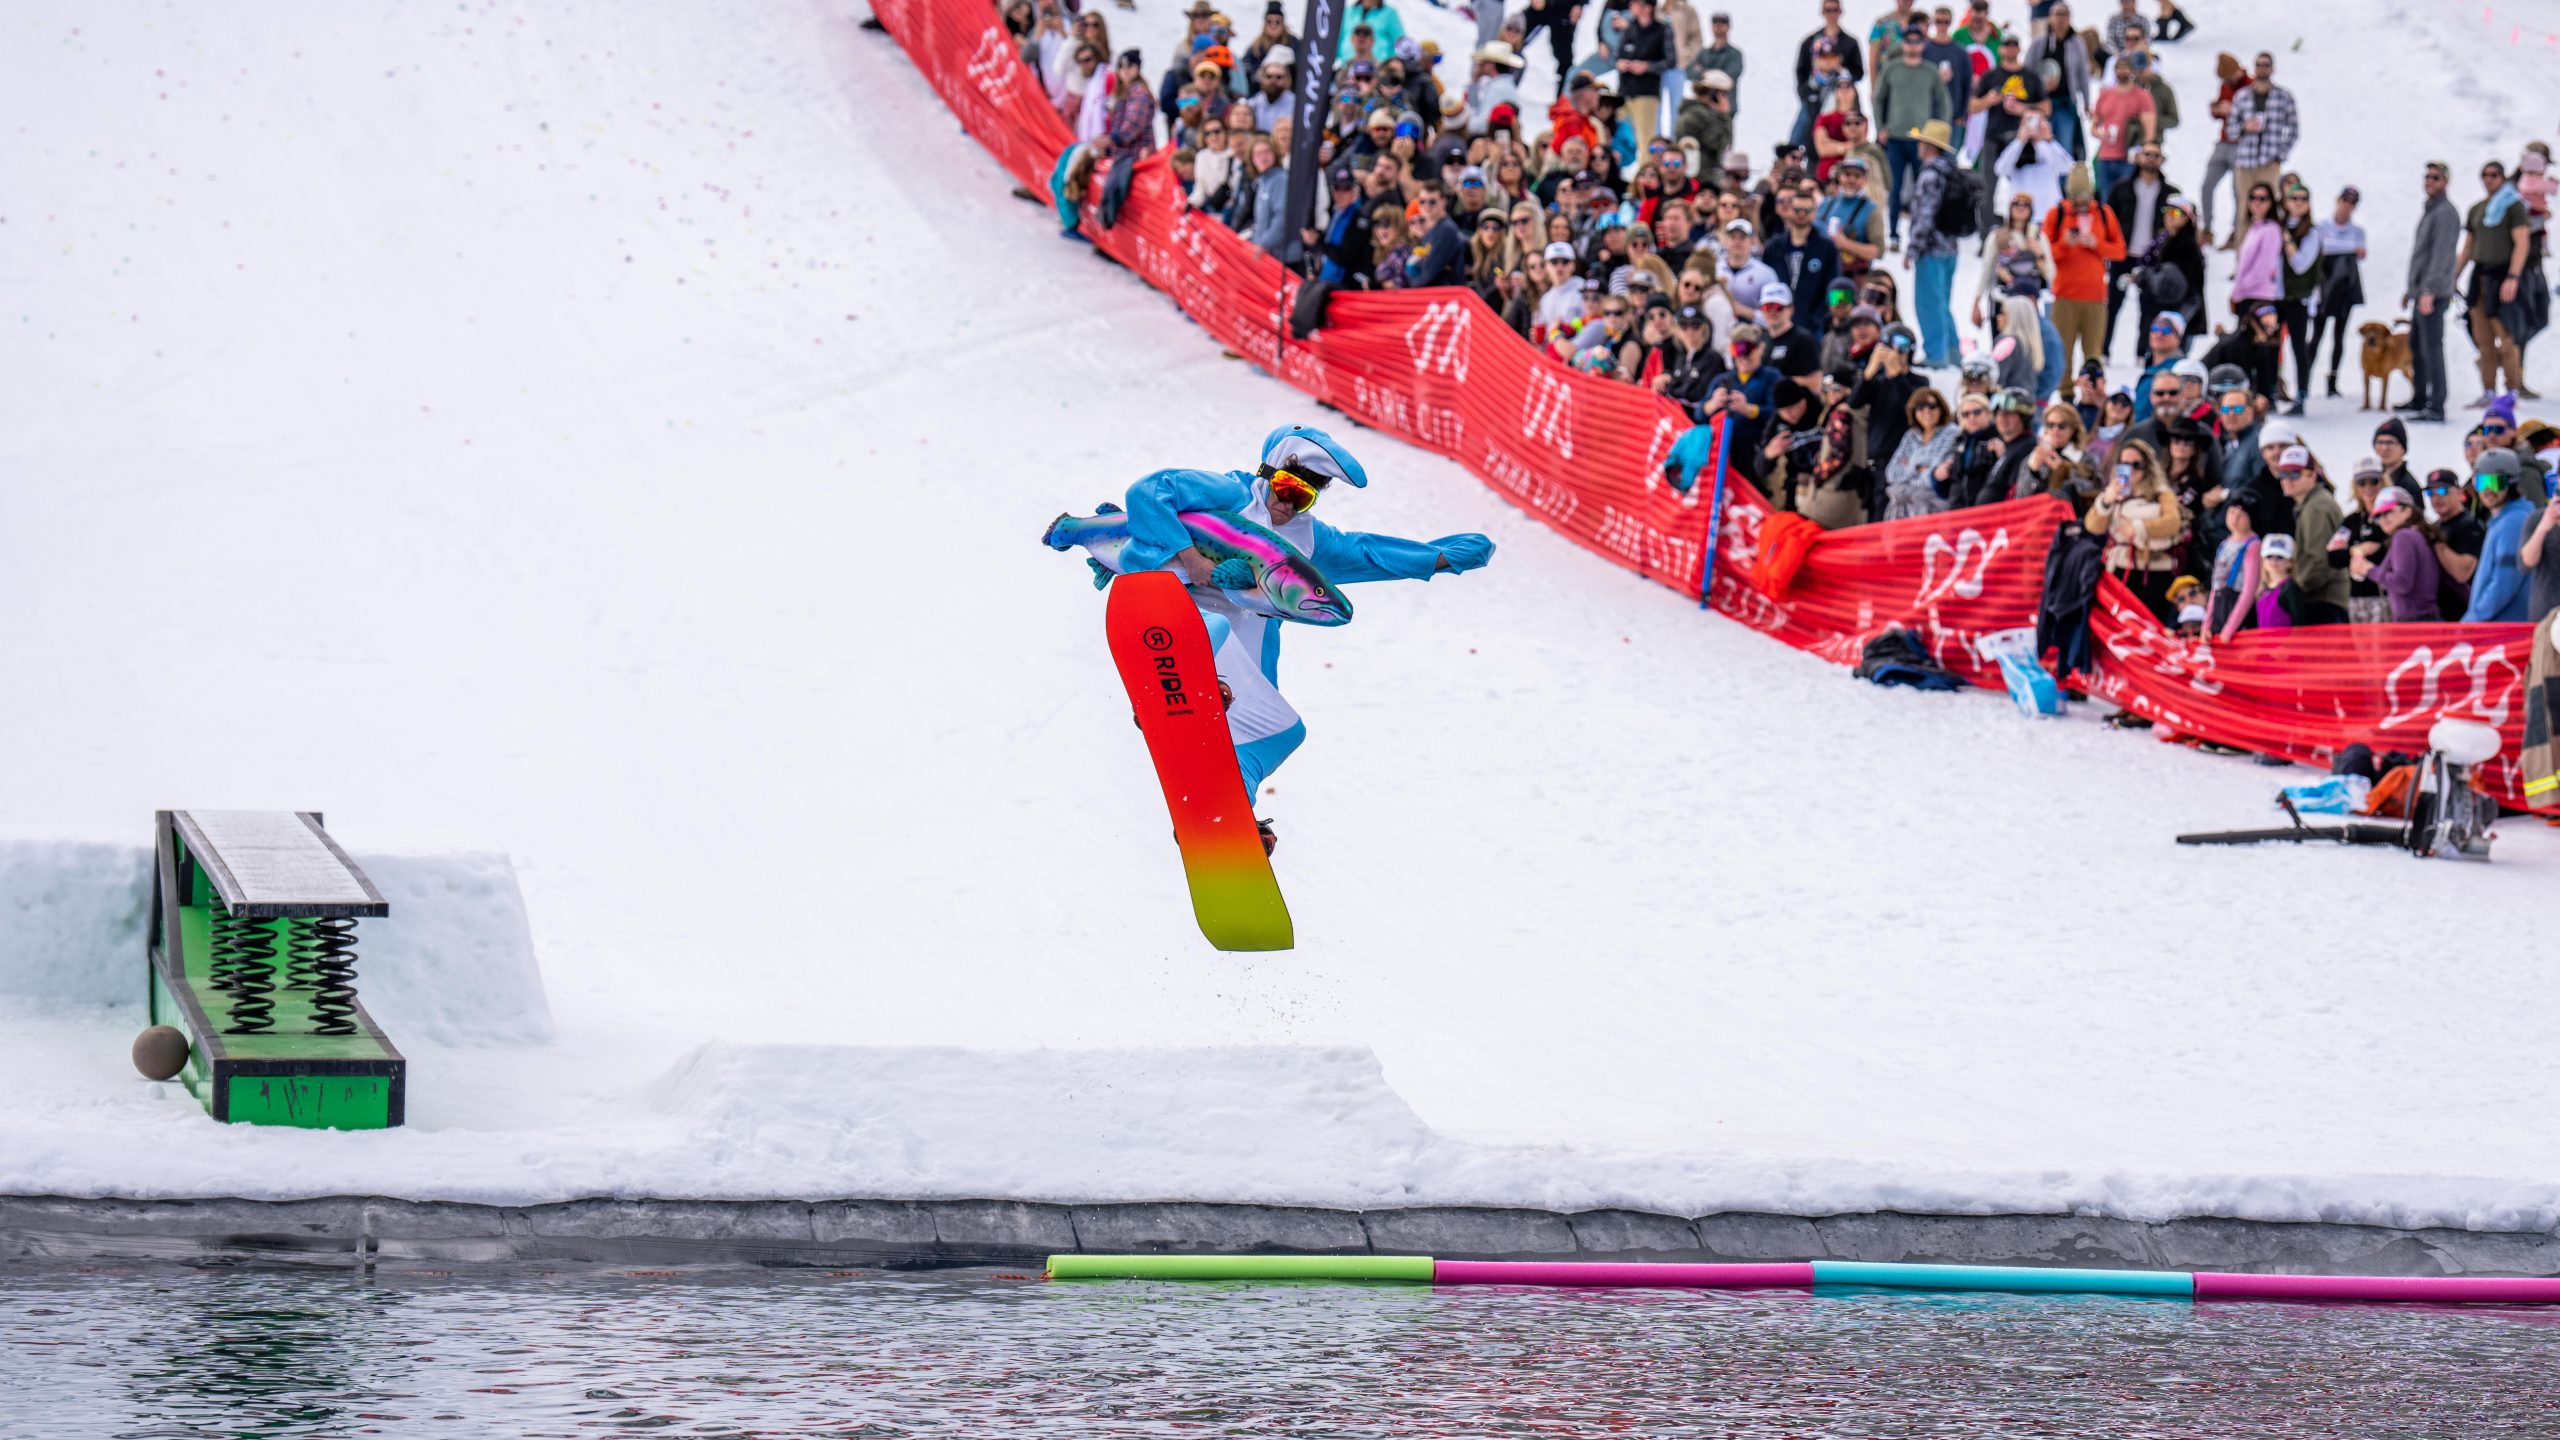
column 1583, row 455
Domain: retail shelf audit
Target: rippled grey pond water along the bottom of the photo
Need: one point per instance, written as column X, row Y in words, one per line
column 278, row 1352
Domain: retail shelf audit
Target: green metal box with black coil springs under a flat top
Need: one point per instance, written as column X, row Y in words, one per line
column 255, row 965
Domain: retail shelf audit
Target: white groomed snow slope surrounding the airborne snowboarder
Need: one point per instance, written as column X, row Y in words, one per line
column 616, row 439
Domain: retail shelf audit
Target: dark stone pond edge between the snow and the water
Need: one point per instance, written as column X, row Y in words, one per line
column 933, row 1234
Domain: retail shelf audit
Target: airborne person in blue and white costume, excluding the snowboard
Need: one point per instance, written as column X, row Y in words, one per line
column 1299, row 468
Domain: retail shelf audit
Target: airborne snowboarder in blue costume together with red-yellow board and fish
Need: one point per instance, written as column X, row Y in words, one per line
column 1251, row 555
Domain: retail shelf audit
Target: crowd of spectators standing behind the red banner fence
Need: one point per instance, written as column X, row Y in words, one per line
column 1624, row 229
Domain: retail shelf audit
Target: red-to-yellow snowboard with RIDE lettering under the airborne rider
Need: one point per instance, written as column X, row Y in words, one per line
column 1161, row 650
